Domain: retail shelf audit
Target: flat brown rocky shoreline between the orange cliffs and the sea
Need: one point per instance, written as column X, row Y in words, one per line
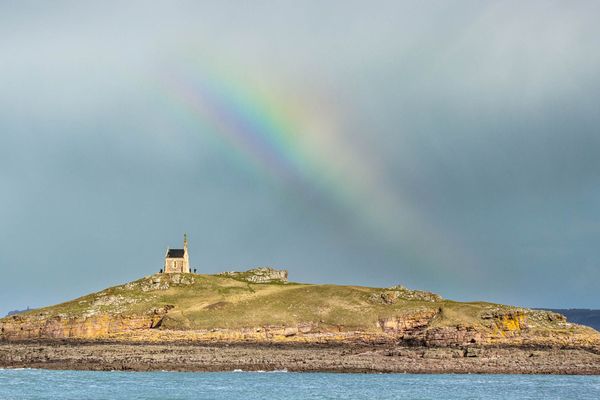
column 80, row 355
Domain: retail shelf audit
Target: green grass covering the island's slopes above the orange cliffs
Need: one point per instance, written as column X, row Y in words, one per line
column 213, row 301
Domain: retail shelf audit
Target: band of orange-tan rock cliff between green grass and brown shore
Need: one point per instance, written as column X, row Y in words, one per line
column 417, row 328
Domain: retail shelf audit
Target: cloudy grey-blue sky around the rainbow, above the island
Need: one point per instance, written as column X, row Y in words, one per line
column 478, row 120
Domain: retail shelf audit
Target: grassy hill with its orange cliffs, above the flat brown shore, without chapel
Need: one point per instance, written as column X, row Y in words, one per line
column 235, row 306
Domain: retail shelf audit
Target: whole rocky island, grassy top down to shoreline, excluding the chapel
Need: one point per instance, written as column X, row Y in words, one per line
column 258, row 320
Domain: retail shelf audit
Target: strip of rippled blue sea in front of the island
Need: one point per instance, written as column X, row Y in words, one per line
column 43, row 384
